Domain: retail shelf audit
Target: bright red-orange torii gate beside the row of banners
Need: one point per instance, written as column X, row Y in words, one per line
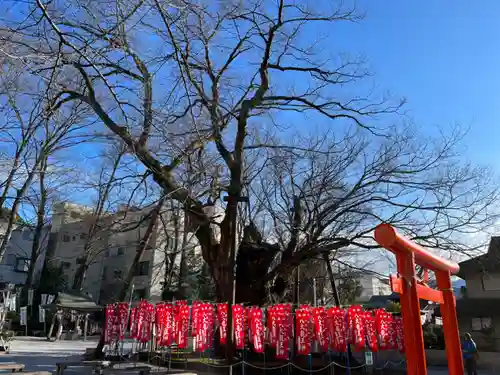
column 408, row 255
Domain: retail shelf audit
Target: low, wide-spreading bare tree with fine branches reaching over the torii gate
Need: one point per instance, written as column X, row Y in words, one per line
column 336, row 192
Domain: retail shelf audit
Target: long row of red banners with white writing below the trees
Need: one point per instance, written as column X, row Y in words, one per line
column 331, row 328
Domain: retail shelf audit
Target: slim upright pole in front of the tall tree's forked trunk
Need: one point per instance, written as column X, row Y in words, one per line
column 232, row 201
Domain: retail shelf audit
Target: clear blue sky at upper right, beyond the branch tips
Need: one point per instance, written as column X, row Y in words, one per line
column 443, row 56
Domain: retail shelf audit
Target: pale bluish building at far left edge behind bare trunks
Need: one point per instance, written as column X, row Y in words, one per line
column 17, row 257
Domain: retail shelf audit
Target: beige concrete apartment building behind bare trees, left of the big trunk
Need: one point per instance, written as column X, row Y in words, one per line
column 110, row 252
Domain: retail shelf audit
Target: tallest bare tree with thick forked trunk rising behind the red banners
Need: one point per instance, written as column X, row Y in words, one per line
column 191, row 32
